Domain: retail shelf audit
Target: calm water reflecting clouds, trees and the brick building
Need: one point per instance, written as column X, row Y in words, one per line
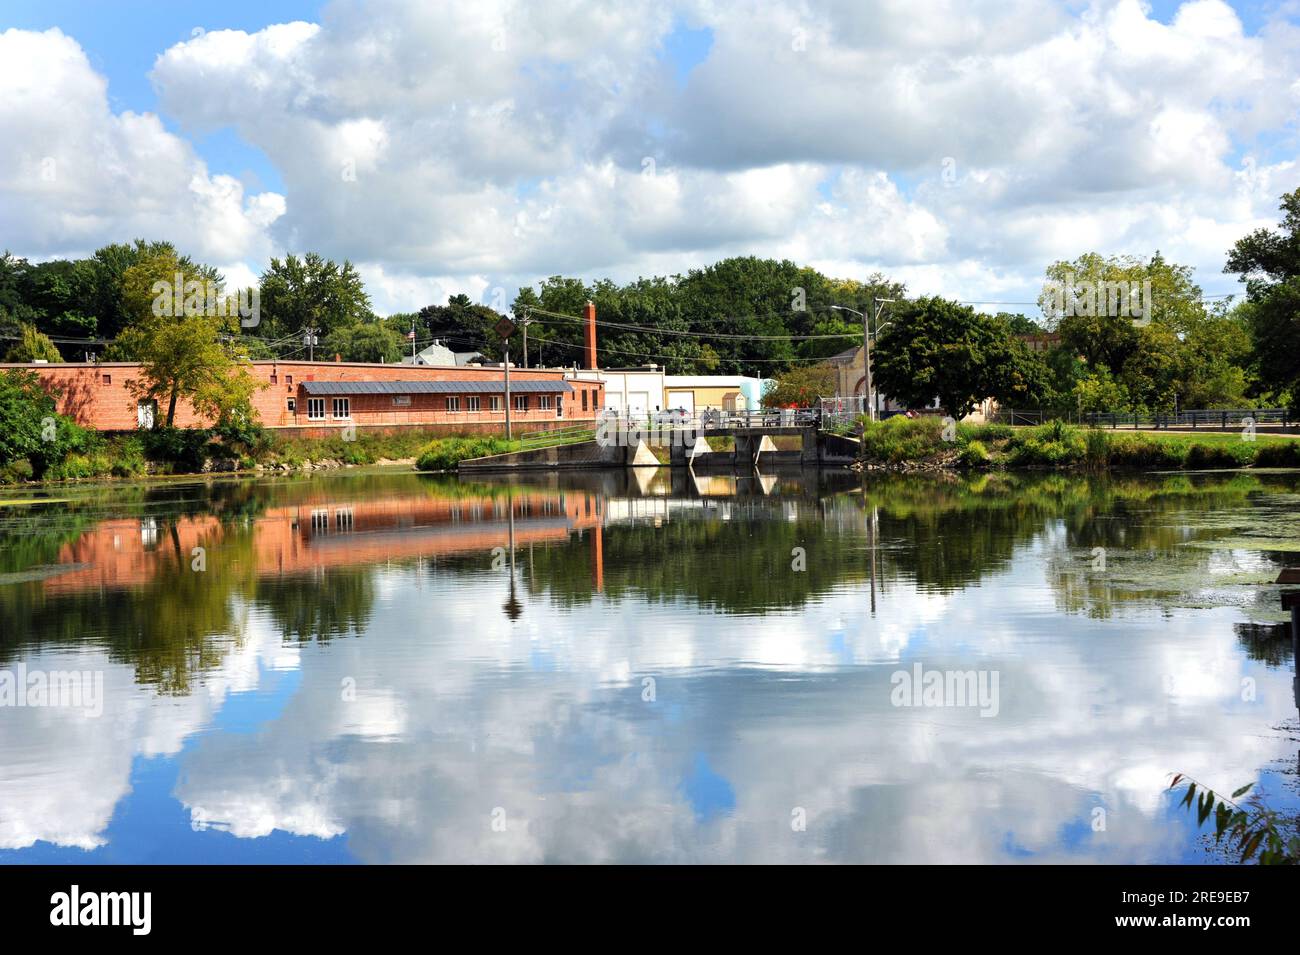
column 352, row 668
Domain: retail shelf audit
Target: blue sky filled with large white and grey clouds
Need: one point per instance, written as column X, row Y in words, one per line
column 1063, row 128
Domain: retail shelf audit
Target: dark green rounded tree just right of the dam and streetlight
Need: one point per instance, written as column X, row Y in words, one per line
column 935, row 348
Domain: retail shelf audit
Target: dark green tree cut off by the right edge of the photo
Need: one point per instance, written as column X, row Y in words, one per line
column 1268, row 262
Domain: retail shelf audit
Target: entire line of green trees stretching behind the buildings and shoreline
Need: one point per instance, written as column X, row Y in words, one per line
column 739, row 316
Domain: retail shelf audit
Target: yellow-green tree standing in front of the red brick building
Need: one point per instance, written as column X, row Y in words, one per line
column 184, row 355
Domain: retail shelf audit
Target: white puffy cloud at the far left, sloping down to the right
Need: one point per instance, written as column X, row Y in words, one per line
column 75, row 175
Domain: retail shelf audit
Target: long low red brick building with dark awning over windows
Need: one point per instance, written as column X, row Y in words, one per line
column 322, row 397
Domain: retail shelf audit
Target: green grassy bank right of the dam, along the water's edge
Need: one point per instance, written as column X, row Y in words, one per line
column 925, row 442
